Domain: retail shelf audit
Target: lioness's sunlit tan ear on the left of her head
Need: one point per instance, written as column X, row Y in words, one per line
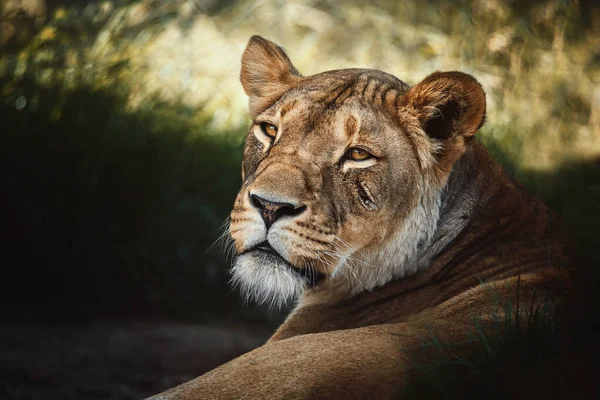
column 267, row 73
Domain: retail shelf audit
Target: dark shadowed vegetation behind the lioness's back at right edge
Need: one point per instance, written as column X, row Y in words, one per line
column 573, row 191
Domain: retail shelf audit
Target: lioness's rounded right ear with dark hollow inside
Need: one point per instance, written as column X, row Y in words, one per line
column 447, row 104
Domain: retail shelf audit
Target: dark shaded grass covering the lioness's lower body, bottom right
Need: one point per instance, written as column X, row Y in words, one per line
column 505, row 357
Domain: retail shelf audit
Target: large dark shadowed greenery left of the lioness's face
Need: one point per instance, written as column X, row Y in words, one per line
column 116, row 209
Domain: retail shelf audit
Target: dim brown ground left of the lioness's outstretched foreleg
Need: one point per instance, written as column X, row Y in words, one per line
column 112, row 359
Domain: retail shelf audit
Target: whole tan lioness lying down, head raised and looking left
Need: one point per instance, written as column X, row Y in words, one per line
column 371, row 204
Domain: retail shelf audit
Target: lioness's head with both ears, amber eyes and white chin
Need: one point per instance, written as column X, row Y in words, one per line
column 342, row 174
